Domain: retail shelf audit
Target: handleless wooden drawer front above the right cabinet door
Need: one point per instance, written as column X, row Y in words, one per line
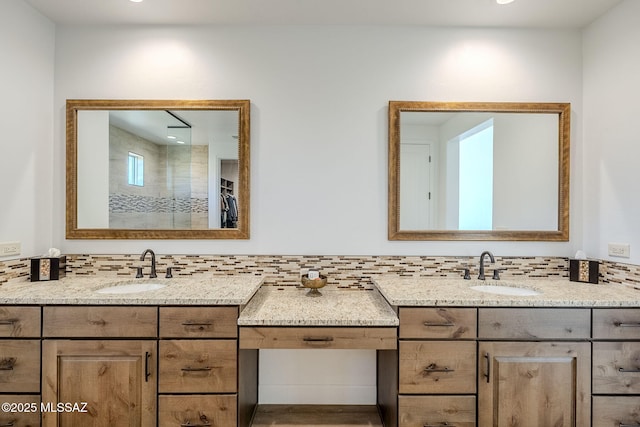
column 534, row 323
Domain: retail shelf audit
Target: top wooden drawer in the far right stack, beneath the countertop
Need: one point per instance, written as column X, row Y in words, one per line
column 620, row 323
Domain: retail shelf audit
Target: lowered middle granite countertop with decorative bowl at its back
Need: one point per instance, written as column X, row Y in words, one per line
column 273, row 306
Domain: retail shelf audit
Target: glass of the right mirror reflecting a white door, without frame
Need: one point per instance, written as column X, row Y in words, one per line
column 487, row 171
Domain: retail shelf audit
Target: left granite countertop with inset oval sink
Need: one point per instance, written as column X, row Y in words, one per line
column 195, row 290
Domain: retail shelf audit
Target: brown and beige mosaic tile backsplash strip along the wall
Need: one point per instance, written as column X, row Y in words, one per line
column 353, row 272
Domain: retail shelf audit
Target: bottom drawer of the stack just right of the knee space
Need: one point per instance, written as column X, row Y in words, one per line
column 436, row 411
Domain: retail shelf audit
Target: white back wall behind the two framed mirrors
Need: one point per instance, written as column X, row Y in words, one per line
column 319, row 115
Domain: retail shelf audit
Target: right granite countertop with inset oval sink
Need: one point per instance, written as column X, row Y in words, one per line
column 425, row 291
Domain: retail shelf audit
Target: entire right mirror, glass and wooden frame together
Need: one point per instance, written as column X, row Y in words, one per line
column 478, row 171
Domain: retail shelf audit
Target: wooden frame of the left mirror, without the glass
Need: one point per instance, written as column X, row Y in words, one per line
column 243, row 106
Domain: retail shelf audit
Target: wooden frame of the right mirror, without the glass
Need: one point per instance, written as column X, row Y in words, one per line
column 564, row 131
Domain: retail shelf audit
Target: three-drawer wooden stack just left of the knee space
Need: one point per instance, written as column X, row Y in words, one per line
column 198, row 366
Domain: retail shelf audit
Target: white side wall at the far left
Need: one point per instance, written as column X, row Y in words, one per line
column 26, row 141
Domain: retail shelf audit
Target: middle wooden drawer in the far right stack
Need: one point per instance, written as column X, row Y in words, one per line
column 616, row 367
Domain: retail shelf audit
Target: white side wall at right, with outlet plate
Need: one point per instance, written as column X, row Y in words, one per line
column 612, row 139
